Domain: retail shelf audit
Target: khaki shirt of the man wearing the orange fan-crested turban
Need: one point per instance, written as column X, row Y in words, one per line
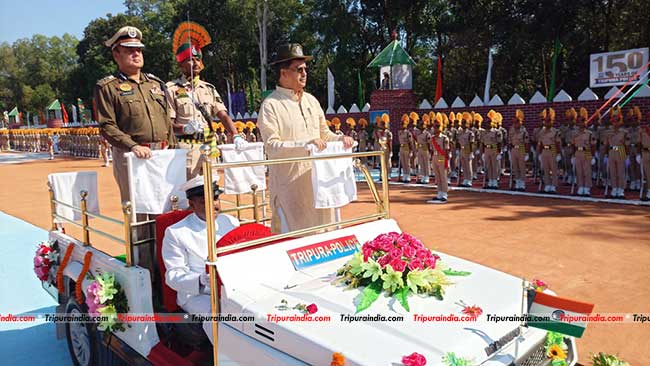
column 181, row 99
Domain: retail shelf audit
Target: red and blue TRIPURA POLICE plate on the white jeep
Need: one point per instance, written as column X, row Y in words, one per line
column 314, row 254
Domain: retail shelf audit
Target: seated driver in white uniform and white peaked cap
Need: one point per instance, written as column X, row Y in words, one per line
column 185, row 251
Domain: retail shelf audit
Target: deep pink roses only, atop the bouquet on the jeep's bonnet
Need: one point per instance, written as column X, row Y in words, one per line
column 401, row 251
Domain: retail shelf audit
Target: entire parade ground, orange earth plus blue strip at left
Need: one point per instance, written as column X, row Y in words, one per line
column 588, row 251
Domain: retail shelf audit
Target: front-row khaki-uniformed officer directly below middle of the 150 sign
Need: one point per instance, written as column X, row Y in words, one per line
column 617, row 145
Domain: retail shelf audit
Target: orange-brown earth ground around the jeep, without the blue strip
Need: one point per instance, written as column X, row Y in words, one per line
column 593, row 252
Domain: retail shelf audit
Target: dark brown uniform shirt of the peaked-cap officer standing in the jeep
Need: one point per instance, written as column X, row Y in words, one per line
column 132, row 112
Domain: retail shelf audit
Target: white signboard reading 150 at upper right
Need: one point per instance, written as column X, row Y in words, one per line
column 616, row 68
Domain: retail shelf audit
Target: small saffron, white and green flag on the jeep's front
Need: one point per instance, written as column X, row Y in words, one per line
column 566, row 316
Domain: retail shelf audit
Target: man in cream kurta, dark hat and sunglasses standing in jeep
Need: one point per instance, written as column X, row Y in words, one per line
column 289, row 119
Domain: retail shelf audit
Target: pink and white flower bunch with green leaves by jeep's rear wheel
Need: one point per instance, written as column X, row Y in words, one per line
column 105, row 297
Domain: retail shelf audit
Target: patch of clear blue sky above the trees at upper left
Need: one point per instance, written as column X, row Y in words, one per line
column 24, row 18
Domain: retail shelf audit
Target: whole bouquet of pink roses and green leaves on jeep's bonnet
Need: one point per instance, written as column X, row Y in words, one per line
column 398, row 264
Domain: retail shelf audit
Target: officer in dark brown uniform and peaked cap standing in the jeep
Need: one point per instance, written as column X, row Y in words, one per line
column 131, row 107
